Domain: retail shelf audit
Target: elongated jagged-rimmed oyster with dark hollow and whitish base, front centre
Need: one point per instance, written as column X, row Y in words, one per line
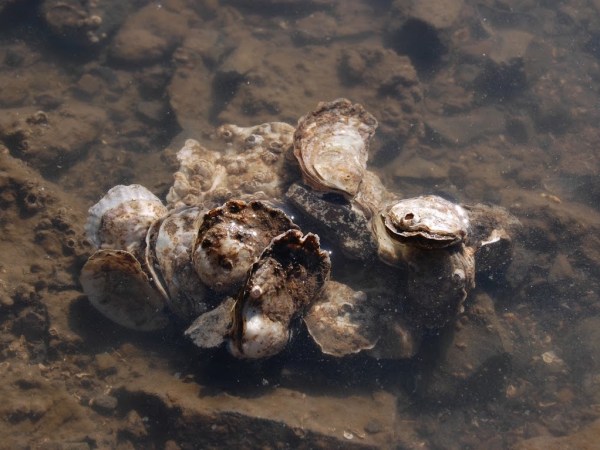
column 280, row 285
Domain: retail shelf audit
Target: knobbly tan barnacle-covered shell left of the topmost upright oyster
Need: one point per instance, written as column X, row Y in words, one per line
column 251, row 163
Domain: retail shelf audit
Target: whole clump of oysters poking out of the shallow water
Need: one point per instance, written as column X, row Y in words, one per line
column 225, row 258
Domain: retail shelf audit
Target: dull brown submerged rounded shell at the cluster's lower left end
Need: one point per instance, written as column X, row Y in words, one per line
column 118, row 287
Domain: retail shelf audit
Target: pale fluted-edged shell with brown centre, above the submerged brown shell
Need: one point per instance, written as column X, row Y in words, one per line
column 122, row 217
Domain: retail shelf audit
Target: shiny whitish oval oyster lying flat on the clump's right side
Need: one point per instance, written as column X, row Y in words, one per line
column 428, row 221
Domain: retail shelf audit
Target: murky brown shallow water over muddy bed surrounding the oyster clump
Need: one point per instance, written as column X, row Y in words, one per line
column 479, row 102
